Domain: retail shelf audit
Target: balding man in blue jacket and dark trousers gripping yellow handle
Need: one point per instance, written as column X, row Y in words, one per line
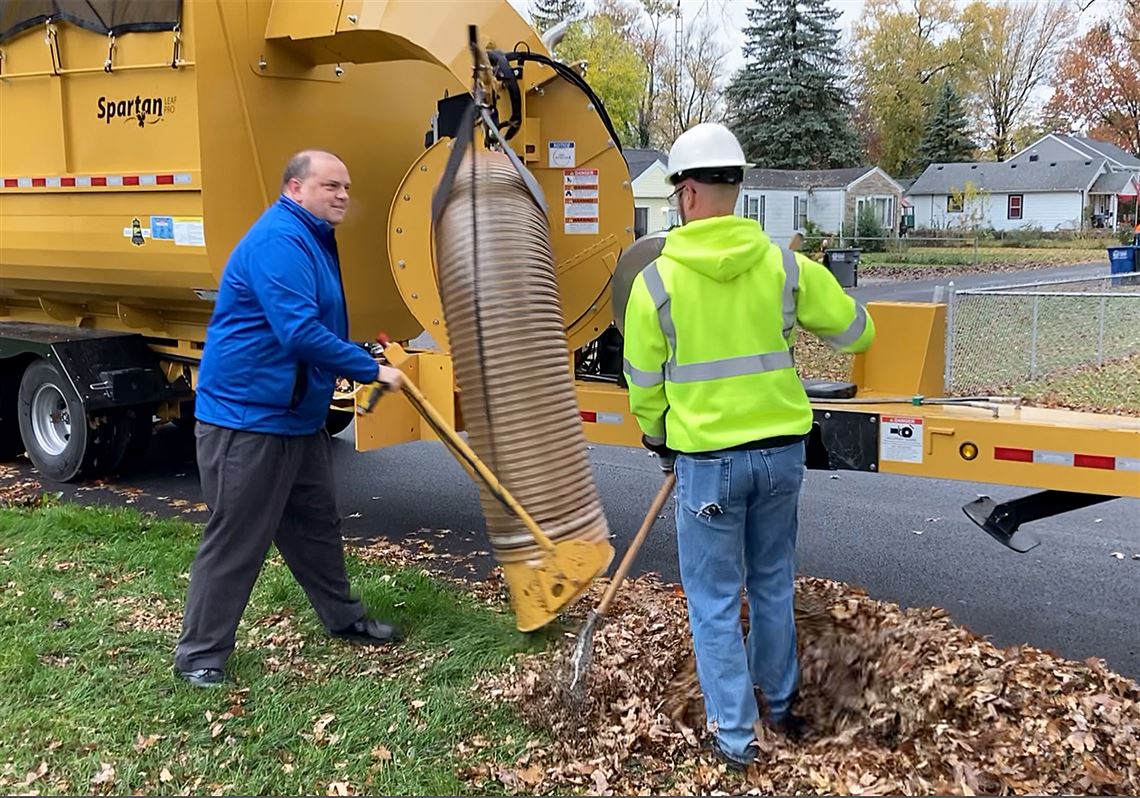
column 275, row 348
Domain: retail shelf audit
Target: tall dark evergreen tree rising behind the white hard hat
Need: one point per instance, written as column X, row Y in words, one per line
column 789, row 105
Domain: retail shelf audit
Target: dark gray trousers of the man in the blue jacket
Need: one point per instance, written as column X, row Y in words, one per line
column 262, row 490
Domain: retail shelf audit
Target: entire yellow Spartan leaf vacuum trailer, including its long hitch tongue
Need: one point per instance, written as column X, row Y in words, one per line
column 136, row 151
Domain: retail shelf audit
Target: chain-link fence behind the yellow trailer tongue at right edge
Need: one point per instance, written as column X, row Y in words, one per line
column 1004, row 338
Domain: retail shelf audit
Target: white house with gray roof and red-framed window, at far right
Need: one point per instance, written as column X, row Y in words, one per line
column 1047, row 194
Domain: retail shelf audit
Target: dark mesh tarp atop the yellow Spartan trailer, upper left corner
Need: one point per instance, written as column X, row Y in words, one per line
column 102, row 17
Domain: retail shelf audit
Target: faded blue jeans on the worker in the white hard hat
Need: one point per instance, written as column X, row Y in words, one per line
column 737, row 523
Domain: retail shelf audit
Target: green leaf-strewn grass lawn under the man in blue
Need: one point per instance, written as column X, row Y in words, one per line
column 91, row 607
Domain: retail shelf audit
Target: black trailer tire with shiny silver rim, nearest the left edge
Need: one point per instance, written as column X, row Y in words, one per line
column 59, row 437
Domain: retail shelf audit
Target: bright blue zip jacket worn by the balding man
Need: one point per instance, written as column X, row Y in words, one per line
column 276, row 343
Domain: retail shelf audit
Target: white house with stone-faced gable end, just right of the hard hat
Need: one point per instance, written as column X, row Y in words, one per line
column 783, row 201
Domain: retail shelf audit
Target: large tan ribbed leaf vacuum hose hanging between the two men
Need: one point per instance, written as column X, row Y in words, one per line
column 512, row 364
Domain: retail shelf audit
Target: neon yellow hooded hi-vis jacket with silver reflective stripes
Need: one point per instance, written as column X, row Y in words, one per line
column 709, row 331
